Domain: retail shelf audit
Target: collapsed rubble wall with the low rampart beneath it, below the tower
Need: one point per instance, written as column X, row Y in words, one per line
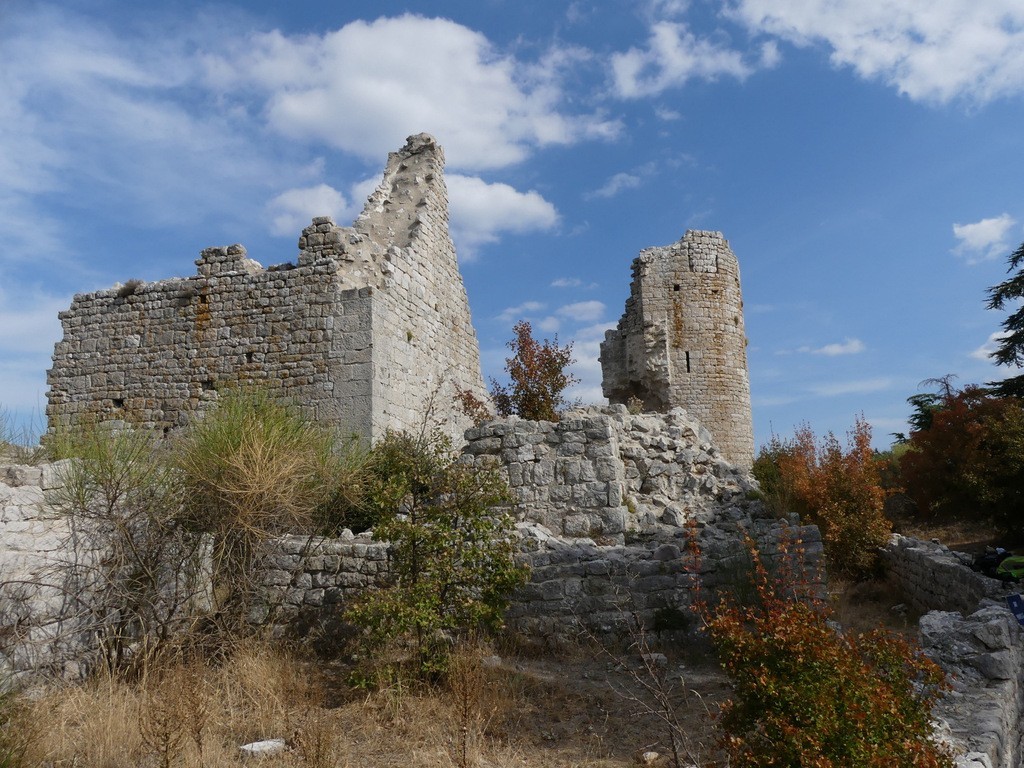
column 606, row 503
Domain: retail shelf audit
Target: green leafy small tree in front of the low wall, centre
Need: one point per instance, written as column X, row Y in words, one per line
column 452, row 566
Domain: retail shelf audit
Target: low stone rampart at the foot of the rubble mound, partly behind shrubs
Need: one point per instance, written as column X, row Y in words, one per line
column 577, row 588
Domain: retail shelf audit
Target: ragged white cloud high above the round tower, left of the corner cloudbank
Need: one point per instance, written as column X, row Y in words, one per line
column 673, row 57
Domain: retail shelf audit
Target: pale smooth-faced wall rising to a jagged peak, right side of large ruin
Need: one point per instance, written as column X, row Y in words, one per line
column 425, row 348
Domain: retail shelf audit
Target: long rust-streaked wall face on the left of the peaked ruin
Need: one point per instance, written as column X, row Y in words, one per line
column 157, row 355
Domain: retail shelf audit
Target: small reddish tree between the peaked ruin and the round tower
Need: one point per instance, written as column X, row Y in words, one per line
column 538, row 375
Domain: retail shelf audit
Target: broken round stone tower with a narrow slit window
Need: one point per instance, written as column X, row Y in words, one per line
column 681, row 340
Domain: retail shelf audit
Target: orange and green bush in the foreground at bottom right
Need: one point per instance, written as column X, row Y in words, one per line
column 806, row 695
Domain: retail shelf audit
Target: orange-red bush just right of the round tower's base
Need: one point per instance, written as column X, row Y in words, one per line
column 839, row 491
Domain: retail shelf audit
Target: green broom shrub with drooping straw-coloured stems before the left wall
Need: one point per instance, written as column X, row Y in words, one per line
column 252, row 468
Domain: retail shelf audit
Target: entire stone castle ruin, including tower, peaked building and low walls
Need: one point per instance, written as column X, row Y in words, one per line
column 369, row 330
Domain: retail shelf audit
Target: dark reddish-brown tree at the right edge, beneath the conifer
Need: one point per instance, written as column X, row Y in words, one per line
column 967, row 460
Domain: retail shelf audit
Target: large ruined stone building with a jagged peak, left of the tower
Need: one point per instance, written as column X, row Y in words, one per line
column 370, row 329
